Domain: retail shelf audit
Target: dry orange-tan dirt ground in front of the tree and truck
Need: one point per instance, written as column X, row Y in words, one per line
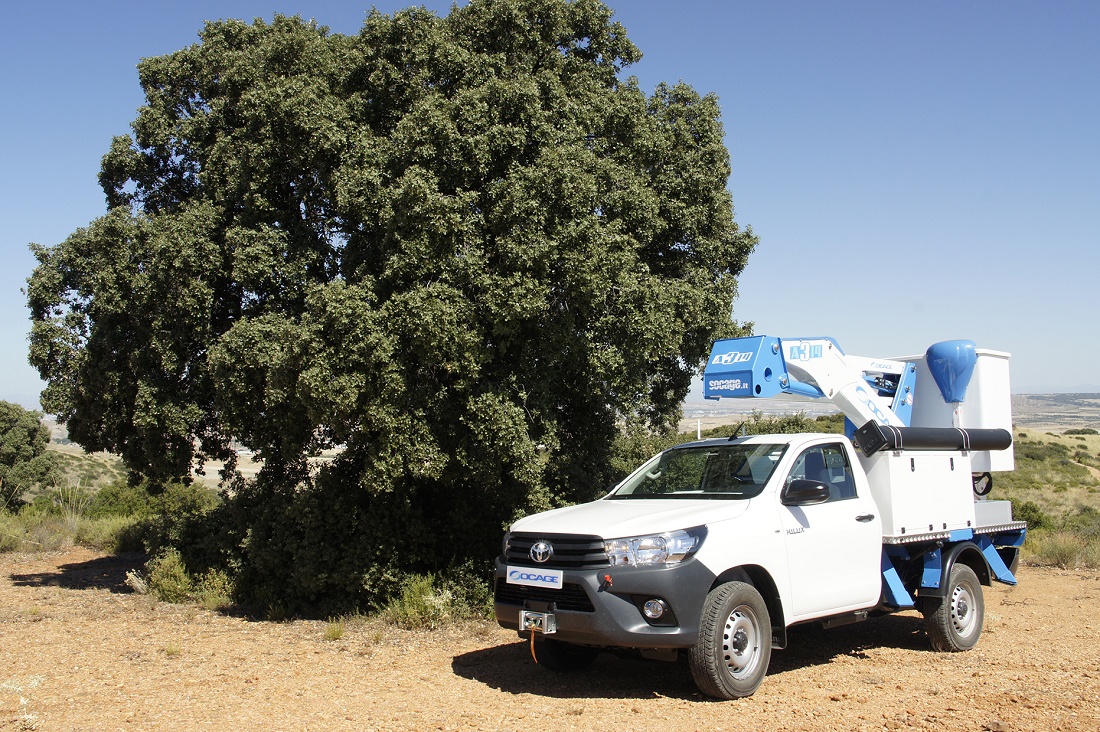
column 79, row 651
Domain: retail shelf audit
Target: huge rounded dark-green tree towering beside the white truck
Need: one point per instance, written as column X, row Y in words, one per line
column 465, row 250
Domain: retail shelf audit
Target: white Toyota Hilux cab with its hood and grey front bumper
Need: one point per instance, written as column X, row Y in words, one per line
column 790, row 514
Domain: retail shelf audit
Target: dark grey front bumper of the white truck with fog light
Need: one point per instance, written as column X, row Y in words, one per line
column 588, row 611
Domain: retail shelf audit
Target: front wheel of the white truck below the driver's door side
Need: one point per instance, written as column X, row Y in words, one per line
column 734, row 649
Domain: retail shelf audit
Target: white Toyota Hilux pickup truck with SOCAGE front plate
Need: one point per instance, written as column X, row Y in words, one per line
column 714, row 549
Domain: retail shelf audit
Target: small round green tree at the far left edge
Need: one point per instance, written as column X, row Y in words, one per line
column 25, row 463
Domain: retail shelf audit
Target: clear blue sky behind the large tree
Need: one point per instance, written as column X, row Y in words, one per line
column 916, row 171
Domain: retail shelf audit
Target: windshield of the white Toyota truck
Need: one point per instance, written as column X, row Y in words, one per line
column 707, row 472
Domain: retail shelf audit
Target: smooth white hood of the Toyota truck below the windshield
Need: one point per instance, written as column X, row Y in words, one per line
column 610, row 519
